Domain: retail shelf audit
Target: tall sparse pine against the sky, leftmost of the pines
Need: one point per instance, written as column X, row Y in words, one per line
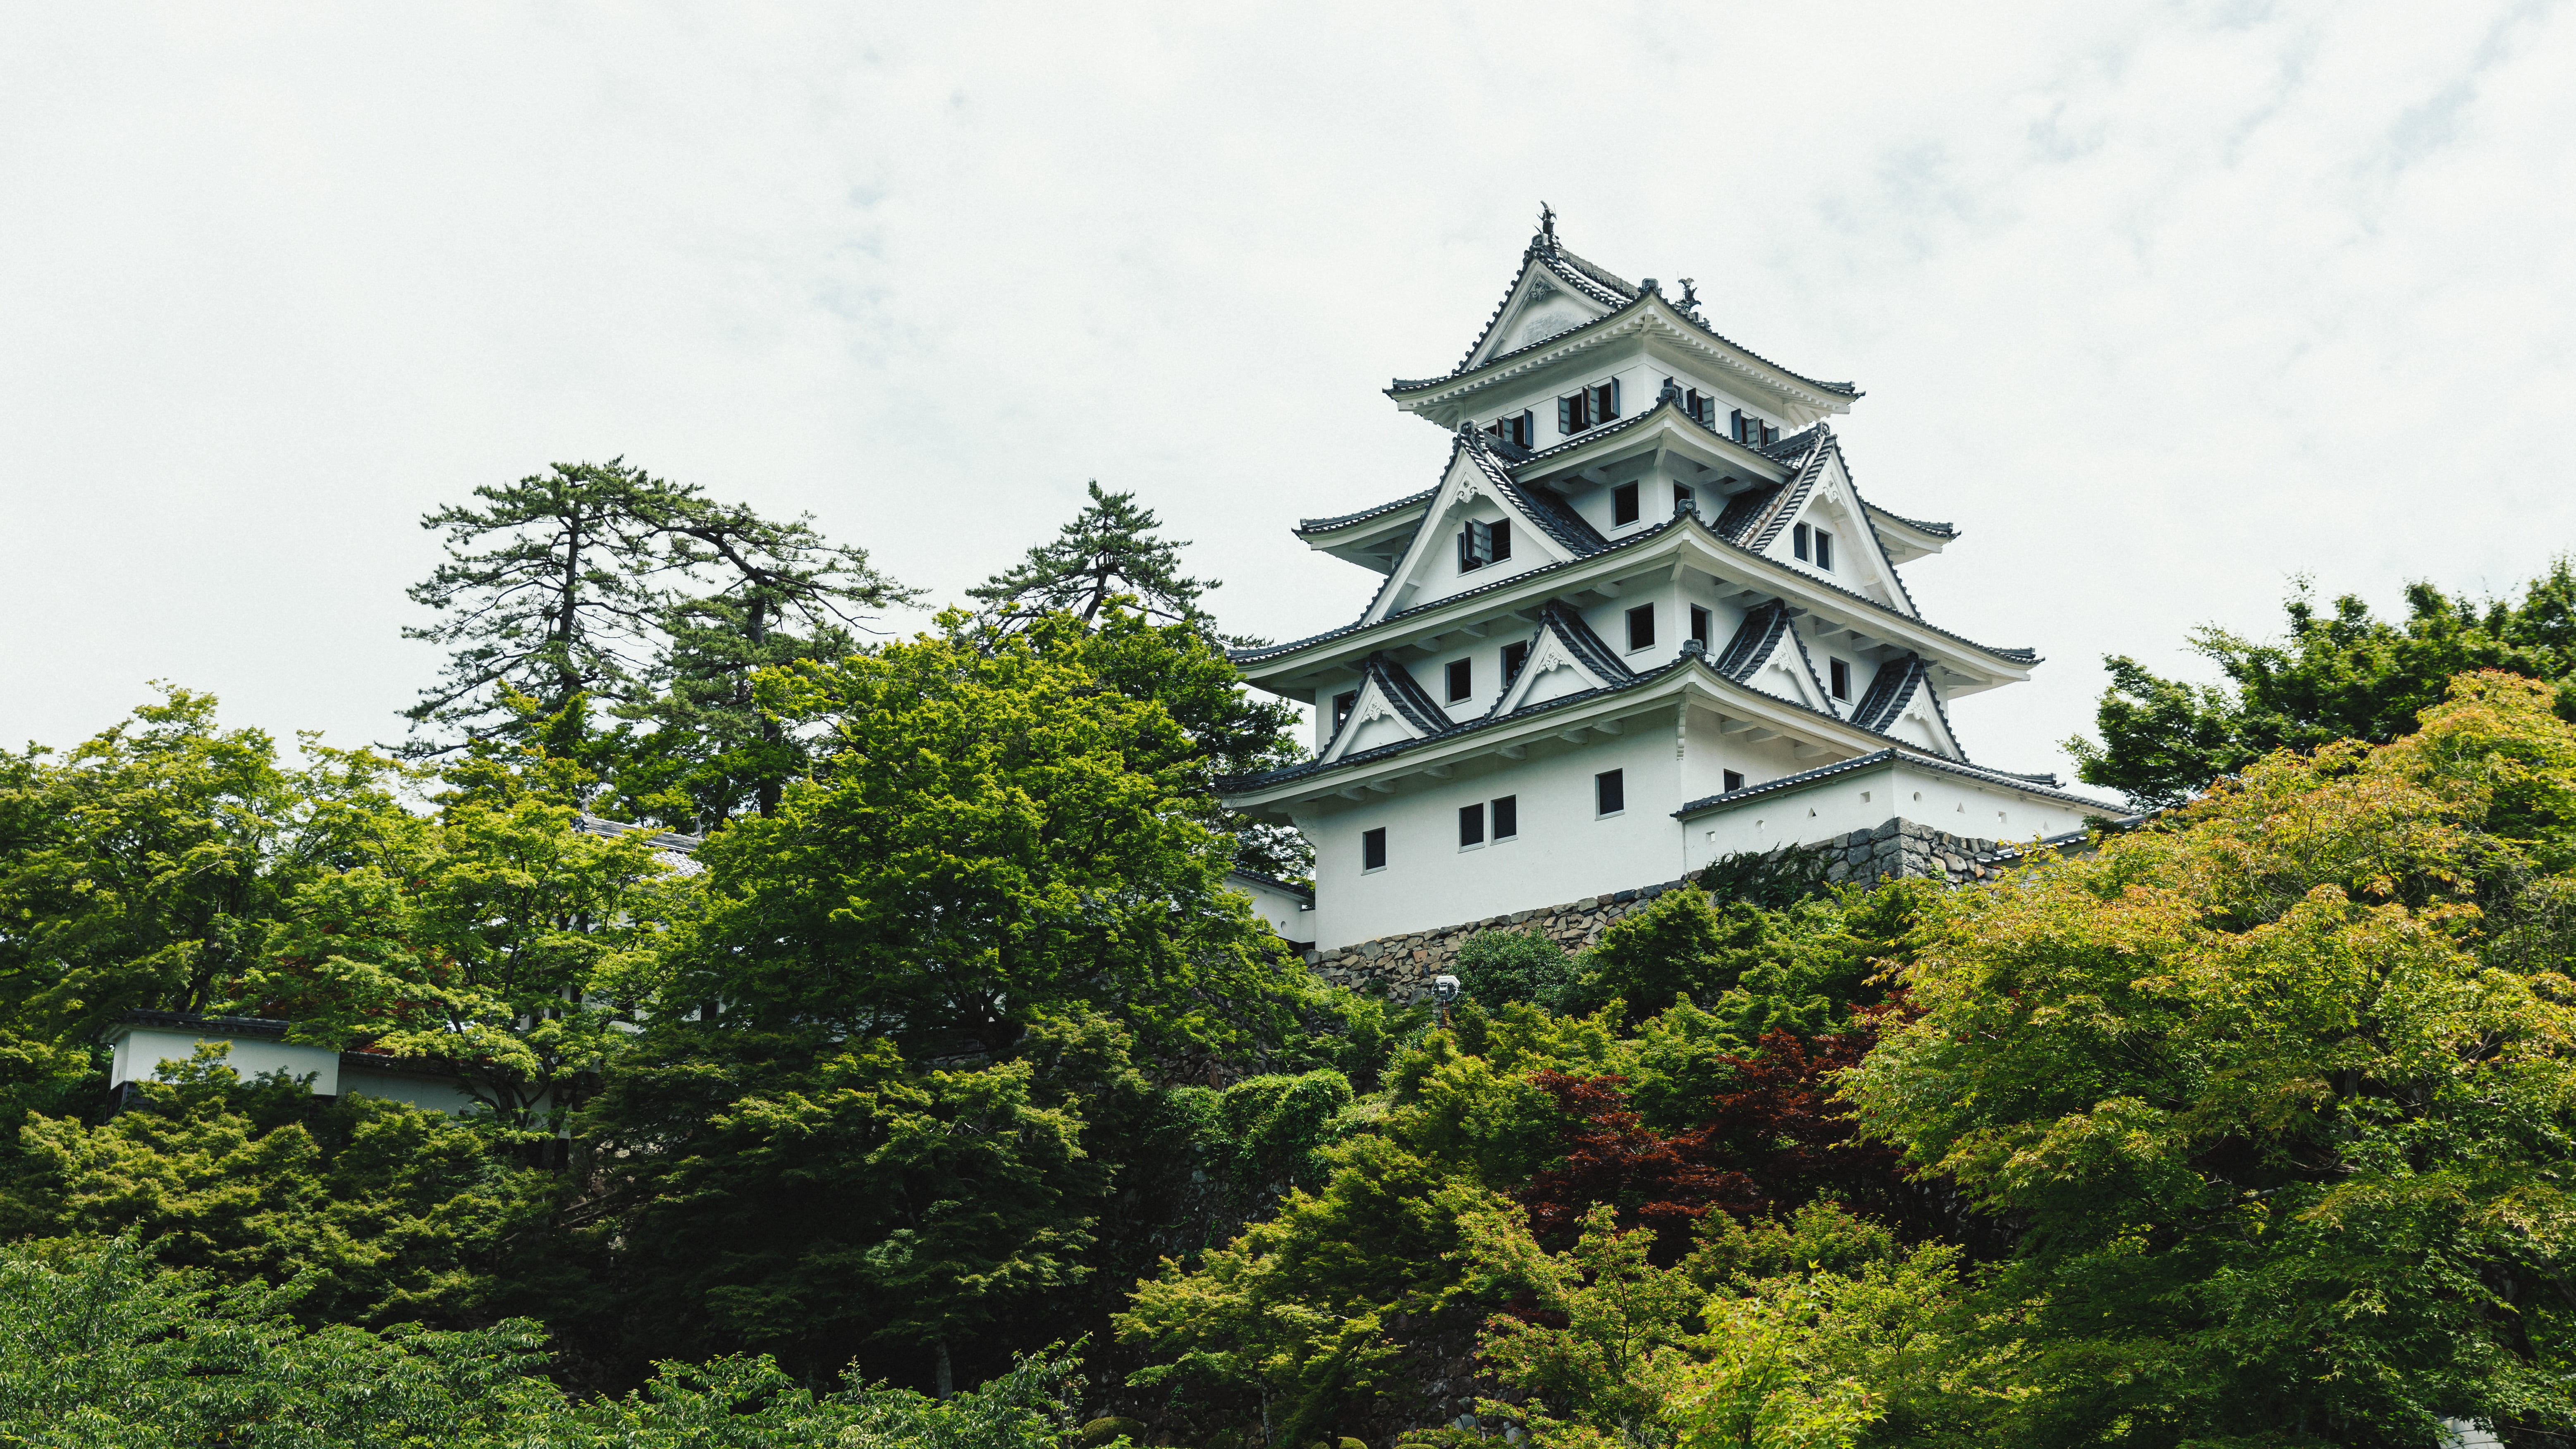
column 550, row 592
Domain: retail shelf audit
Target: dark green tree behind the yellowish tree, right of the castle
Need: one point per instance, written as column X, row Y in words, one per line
column 2343, row 674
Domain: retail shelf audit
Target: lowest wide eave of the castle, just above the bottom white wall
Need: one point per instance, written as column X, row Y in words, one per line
column 1686, row 679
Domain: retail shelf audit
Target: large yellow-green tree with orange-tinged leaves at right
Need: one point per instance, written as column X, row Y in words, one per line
column 2281, row 1094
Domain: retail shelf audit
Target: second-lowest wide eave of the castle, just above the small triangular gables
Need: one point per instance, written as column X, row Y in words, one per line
column 1624, row 556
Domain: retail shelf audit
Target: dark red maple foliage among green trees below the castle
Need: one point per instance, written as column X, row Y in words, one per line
column 1768, row 1146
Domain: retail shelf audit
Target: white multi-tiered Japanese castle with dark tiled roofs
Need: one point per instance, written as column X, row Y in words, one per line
column 1642, row 620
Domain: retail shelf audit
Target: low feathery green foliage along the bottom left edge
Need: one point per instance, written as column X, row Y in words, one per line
column 99, row 1350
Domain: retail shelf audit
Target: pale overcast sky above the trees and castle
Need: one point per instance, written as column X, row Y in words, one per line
column 2163, row 306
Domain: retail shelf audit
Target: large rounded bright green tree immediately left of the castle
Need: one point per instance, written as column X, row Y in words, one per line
column 988, row 837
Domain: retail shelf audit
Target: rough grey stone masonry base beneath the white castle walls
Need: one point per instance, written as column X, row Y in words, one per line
column 1897, row 850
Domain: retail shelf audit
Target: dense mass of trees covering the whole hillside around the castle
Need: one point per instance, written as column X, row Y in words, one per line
column 949, row 1051
